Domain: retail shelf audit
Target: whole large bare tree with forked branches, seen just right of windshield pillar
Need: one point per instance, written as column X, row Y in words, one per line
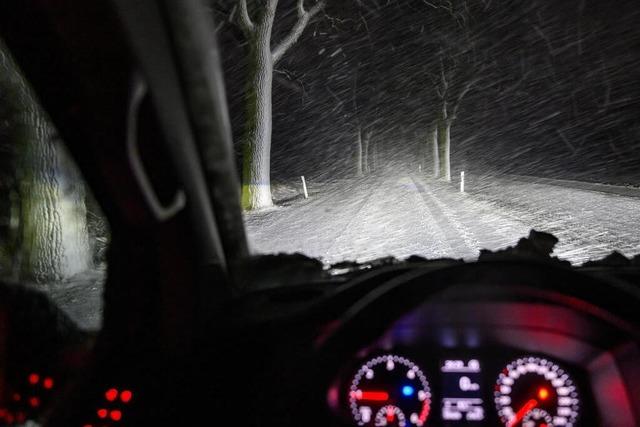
column 256, row 168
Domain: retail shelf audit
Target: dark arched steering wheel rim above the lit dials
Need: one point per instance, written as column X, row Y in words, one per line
column 611, row 301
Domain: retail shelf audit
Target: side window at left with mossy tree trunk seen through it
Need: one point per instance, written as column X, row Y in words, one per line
column 52, row 233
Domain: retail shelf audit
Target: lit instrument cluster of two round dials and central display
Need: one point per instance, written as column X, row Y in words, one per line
column 515, row 390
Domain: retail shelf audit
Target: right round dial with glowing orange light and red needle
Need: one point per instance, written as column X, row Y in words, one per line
column 532, row 391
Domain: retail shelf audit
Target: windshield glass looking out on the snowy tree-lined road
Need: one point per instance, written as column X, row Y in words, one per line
column 437, row 128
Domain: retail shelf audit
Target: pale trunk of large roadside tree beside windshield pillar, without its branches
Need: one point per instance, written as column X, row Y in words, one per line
column 256, row 150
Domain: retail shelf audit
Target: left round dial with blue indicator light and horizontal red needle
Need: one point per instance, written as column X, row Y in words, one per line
column 390, row 390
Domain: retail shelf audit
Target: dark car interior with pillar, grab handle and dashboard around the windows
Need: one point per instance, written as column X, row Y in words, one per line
column 197, row 331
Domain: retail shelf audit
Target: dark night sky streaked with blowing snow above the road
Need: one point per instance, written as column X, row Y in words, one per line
column 556, row 93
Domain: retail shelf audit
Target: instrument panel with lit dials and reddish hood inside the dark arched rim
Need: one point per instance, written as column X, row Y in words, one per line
column 491, row 359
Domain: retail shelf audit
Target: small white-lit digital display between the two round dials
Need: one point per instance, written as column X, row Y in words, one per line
column 462, row 395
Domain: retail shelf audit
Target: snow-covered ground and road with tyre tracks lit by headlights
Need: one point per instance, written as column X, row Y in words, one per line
column 372, row 217
